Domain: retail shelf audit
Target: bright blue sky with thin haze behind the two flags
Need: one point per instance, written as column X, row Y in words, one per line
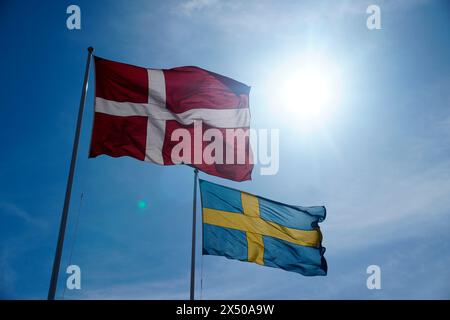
column 378, row 159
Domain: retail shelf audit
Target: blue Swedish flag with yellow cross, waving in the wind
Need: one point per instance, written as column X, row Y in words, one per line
column 242, row 226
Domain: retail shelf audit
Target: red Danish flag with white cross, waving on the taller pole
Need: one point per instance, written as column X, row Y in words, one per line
column 145, row 113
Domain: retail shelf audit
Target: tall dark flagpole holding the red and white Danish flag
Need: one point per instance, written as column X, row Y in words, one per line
column 62, row 227
